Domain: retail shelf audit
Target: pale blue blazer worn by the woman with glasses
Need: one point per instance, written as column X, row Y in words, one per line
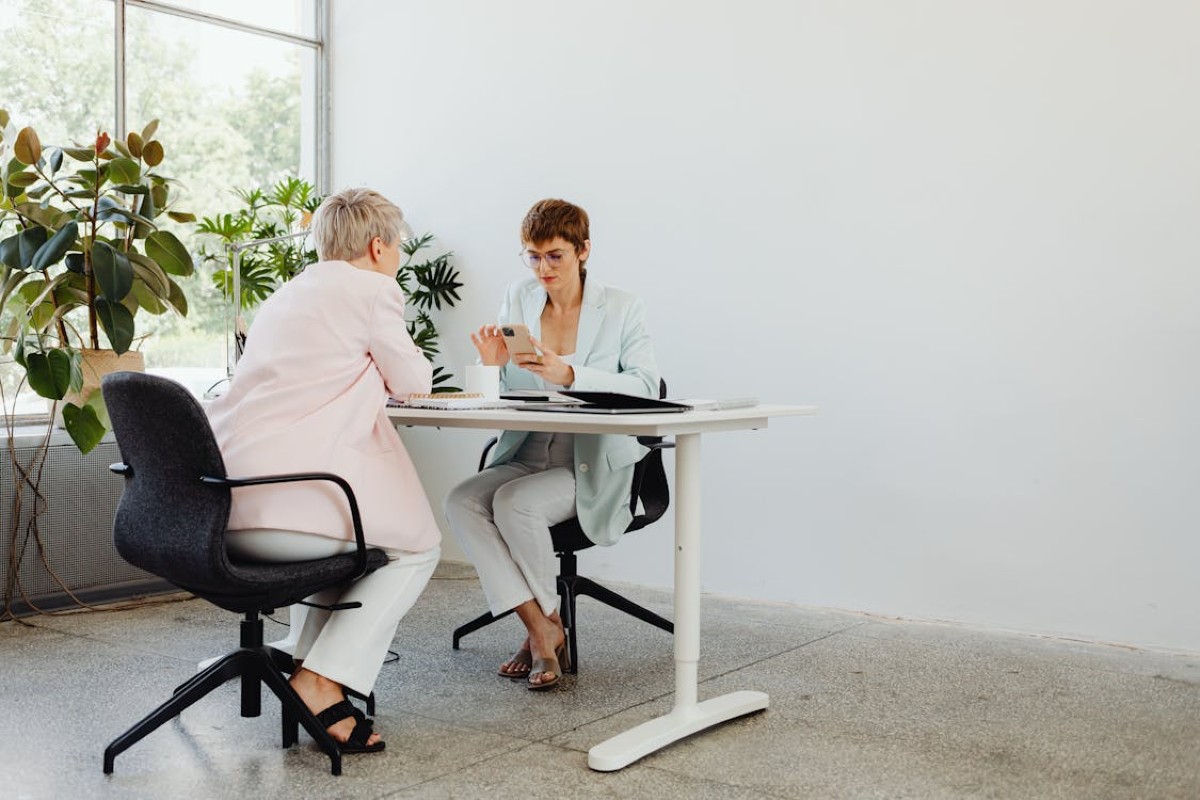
column 614, row 354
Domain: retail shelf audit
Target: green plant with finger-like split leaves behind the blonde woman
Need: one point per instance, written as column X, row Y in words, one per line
column 286, row 208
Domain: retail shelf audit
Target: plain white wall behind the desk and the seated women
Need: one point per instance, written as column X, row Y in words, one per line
column 969, row 232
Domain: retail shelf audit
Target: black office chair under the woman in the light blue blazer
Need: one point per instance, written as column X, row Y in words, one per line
column 650, row 491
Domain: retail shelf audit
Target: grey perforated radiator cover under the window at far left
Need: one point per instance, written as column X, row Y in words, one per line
column 76, row 531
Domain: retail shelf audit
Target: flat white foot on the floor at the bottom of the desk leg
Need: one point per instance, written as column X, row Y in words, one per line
column 683, row 721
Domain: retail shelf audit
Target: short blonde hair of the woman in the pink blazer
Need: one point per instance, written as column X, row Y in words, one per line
column 345, row 225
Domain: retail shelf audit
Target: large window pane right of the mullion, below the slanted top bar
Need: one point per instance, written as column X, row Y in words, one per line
column 227, row 124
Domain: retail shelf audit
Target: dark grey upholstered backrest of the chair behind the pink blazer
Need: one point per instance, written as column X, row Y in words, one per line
column 169, row 522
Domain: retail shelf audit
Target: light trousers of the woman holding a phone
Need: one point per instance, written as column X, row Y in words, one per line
column 502, row 518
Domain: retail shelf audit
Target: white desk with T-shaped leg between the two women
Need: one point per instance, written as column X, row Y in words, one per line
column 688, row 717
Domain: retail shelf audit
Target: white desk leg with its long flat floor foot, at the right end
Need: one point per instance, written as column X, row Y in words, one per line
column 688, row 717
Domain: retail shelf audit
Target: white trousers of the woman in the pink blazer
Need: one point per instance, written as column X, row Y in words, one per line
column 346, row 647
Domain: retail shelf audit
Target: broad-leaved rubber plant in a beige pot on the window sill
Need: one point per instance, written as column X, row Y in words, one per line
column 82, row 252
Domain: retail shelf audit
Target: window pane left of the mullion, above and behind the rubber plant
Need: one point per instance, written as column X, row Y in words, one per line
column 56, row 76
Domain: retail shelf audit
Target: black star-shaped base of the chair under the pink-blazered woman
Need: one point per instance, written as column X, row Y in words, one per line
column 255, row 664
